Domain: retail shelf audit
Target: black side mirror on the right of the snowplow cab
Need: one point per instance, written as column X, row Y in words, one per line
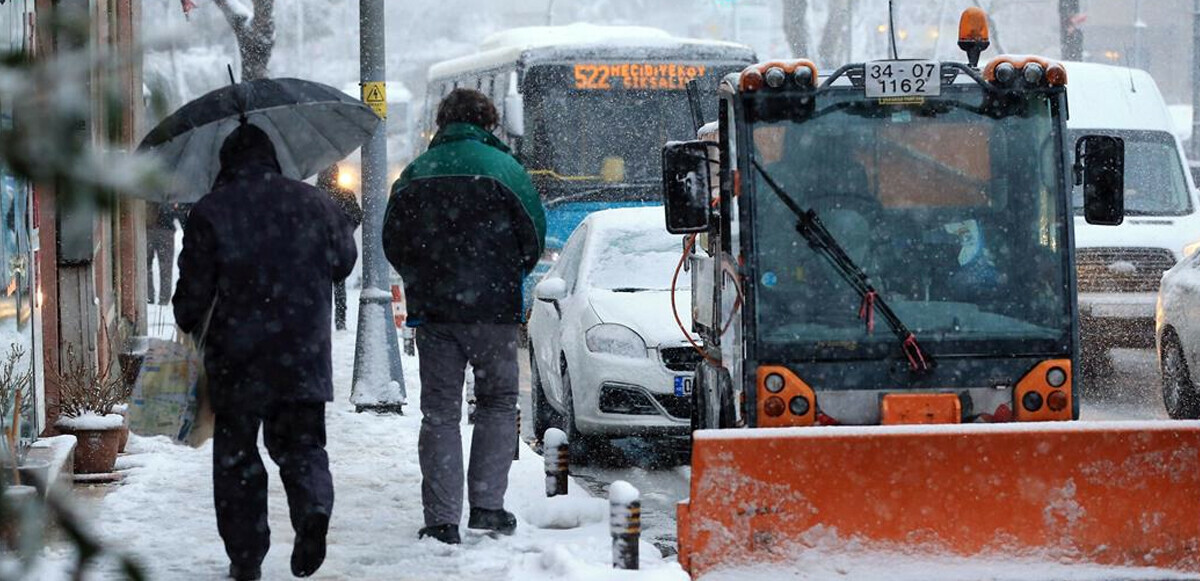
column 1100, row 169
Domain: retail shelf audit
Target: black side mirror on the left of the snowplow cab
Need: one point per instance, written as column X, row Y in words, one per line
column 686, row 187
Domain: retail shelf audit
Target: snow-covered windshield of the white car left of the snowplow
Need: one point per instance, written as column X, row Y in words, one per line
column 633, row 260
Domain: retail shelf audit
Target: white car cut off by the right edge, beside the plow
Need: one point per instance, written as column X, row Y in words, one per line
column 1178, row 331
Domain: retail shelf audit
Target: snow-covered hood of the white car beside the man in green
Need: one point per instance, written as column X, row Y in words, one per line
column 649, row 313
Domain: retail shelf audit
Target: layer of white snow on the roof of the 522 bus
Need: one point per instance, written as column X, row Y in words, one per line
column 509, row 45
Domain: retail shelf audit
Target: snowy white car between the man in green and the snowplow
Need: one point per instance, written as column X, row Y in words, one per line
column 609, row 360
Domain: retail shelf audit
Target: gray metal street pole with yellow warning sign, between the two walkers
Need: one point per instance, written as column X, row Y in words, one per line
column 379, row 375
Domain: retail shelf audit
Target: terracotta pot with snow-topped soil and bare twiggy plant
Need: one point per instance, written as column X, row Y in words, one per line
column 88, row 398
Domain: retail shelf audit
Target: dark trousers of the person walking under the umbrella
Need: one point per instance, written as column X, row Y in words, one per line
column 296, row 439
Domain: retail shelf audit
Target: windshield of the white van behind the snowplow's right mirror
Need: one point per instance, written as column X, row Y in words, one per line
column 1155, row 182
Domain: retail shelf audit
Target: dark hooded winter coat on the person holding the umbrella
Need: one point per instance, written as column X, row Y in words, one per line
column 268, row 249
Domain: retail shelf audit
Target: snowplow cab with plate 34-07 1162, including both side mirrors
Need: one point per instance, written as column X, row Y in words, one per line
column 895, row 230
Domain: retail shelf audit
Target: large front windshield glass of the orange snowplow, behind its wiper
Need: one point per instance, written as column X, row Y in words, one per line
column 956, row 215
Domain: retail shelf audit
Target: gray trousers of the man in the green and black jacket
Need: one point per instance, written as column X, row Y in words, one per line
column 445, row 351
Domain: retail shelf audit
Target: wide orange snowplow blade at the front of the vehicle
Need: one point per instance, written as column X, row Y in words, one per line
column 1120, row 494
